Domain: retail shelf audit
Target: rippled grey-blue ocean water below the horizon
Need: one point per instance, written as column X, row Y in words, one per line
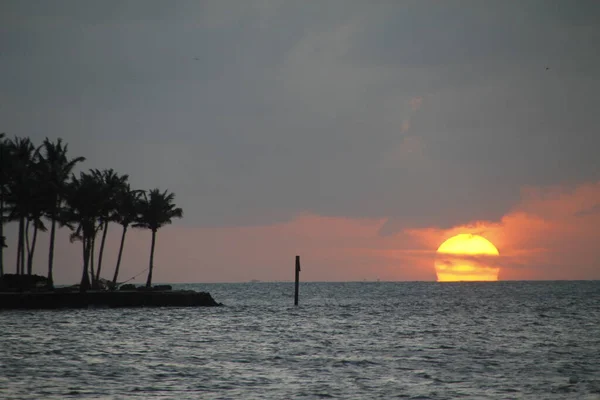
column 363, row 340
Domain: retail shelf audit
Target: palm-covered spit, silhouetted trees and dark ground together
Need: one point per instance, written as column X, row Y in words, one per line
column 40, row 192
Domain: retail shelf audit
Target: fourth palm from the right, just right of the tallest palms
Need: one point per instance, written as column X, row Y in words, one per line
column 84, row 198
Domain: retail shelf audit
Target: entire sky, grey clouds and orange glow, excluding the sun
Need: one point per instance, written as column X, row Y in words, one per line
column 358, row 135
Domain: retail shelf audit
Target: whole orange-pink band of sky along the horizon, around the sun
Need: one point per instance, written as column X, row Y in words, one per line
column 552, row 233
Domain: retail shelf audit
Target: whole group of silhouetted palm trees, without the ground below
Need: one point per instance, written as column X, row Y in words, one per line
column 39, row 182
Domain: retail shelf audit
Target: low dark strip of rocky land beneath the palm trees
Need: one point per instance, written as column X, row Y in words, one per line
column 104, row 299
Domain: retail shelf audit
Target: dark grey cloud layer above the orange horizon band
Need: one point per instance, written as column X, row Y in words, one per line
column 255, row 111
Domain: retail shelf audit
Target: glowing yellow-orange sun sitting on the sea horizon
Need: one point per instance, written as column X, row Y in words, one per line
column 466, row 257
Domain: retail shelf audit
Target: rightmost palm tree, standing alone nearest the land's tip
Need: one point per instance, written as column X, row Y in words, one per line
column 156, row 210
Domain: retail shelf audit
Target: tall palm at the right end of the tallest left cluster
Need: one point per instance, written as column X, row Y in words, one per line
column 56, row 168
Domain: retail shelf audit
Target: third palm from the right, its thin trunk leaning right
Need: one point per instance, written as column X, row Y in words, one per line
column 110, row 183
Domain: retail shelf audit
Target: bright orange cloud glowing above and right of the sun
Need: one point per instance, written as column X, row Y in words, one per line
column 551, row 234
